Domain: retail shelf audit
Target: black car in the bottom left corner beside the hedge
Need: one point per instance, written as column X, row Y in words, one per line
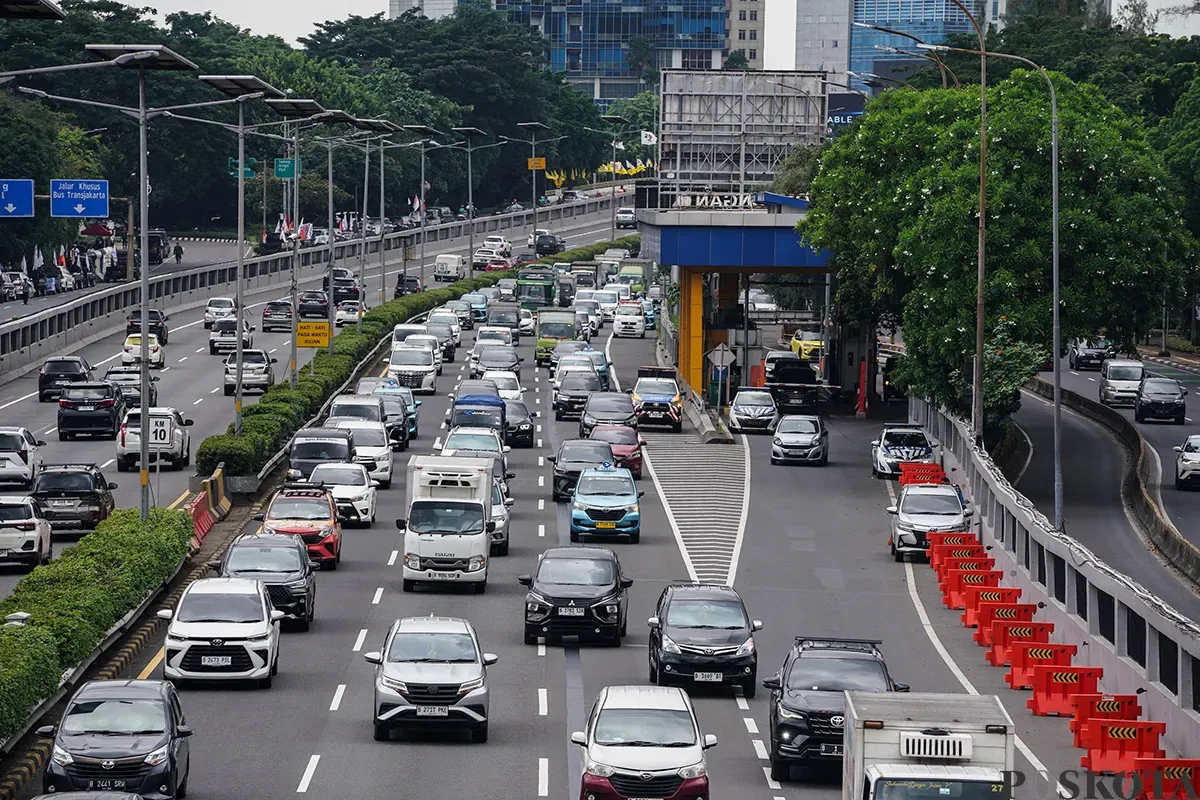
column 121, row 736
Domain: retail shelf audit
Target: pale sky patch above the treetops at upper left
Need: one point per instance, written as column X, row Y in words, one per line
column 287, row 19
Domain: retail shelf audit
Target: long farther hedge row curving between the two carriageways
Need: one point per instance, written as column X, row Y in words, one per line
column 269, row 425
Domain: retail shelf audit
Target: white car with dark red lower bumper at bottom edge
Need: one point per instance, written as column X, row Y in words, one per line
column 644, row 742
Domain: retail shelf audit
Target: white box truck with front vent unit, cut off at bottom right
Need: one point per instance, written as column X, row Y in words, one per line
column 905, row 747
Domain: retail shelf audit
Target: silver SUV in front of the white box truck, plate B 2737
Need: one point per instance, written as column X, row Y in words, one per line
column 431, row 675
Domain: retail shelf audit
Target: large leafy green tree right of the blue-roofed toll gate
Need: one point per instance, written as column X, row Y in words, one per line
column 895, row 201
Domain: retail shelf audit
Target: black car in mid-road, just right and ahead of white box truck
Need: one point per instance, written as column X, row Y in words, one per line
column 578, row 592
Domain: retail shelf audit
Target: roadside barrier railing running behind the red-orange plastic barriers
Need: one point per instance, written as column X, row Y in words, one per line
column 1144, row 646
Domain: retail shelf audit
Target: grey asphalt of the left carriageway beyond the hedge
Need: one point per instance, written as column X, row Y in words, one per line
column 193, row 381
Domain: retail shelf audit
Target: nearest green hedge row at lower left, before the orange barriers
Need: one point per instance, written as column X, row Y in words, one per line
column 76, row 599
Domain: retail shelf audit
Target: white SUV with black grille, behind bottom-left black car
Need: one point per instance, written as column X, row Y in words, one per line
column 223, row 629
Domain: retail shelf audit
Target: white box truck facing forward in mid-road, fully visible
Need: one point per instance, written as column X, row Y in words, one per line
column 448, row 530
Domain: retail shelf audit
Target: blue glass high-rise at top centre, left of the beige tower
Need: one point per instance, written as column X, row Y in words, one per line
column 591, row 40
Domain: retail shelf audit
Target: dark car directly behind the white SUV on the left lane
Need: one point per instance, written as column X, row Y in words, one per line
column 281, row 562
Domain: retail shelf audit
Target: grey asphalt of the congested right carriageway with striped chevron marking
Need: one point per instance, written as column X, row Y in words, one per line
column 806, row 546
